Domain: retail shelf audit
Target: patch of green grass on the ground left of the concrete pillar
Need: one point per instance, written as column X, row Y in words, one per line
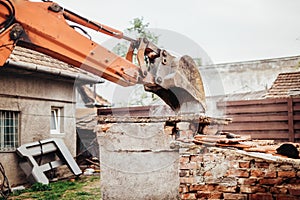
column 85, row 187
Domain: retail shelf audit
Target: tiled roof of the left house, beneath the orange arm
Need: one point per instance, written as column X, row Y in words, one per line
column 34, row 61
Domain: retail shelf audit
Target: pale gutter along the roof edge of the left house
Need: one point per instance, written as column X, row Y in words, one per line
column 56, row 72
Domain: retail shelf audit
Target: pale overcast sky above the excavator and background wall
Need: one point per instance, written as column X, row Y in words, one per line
column 228, row 30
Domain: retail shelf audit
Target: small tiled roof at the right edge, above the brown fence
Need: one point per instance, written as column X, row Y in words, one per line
column 285, row 85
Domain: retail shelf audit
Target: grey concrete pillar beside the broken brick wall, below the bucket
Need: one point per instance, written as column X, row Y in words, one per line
column 137, row 161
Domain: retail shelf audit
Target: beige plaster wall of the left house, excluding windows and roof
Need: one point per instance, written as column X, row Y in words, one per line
column 33, row 98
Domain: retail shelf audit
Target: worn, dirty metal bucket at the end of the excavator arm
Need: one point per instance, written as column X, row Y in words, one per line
column 178, row 82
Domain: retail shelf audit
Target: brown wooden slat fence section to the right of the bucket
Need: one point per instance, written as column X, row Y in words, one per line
column 276, row 119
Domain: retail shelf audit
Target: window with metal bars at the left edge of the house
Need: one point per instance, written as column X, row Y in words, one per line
column 9, row 130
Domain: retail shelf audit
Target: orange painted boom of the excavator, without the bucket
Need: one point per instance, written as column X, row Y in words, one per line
column 42, row 26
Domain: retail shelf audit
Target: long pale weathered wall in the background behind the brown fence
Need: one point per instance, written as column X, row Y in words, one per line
column 250, row 76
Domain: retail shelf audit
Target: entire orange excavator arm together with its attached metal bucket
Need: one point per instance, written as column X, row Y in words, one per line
column 42, row 26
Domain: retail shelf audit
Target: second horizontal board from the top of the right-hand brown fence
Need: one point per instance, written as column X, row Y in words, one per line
column 256, row 109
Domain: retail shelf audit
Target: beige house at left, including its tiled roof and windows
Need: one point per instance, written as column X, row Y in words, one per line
column 37, row 101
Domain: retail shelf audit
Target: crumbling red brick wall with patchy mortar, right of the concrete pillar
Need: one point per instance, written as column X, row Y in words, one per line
column 217, row 173
